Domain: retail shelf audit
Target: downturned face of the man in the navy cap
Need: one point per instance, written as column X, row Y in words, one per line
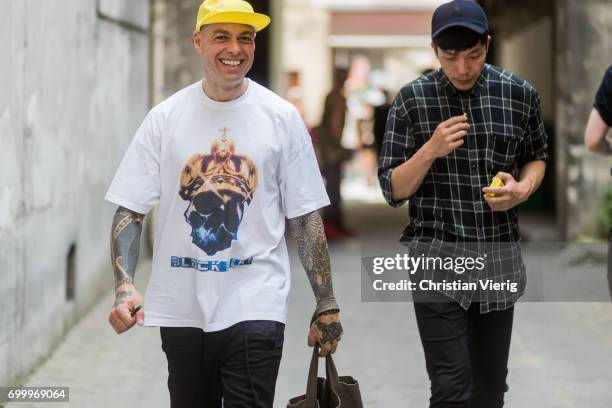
column 463, row 67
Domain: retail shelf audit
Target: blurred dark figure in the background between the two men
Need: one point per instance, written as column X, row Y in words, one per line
column 332, row 155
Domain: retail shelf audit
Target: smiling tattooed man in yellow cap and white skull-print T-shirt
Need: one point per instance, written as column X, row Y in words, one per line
column 230, row 166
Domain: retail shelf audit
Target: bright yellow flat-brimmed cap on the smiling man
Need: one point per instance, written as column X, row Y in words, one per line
column 230, row 11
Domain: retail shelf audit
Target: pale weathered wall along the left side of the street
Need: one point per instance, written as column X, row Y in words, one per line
column 74, row 87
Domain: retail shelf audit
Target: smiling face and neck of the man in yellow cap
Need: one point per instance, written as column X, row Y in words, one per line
column 227, row 51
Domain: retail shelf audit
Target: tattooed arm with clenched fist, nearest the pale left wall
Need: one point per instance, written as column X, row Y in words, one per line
column 125, row 248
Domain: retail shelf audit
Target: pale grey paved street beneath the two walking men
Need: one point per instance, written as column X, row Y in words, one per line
column 560, row 358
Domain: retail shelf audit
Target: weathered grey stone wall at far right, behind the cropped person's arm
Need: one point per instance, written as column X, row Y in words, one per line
column 583, row 52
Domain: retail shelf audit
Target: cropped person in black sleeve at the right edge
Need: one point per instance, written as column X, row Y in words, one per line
column 596, row 141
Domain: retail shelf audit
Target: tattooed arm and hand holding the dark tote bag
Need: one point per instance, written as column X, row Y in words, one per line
column 325, row 328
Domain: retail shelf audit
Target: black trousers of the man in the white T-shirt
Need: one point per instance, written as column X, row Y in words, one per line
column 238, row 365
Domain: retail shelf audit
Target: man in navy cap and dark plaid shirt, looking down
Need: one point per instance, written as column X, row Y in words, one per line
column 448, row 134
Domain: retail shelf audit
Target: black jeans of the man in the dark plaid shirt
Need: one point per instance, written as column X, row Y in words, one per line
column 466, row 354
